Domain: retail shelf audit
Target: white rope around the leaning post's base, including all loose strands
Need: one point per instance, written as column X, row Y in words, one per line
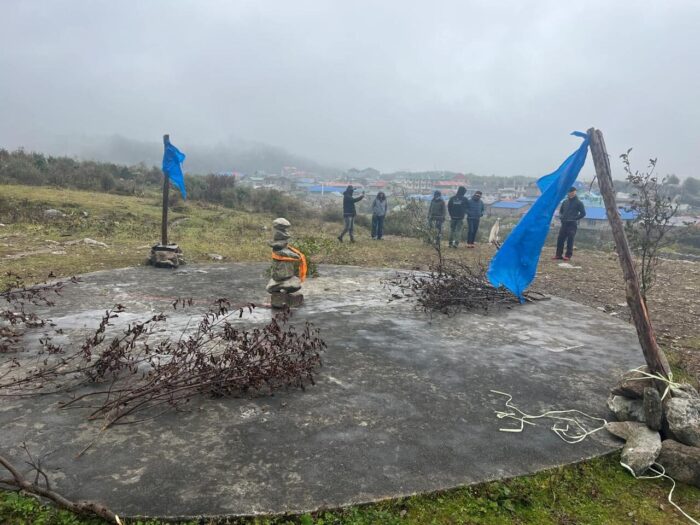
column 582, row 432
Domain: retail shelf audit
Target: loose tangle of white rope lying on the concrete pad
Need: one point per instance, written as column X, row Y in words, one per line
column 561, row 427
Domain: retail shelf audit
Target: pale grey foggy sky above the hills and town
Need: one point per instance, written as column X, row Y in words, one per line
column 490, row 87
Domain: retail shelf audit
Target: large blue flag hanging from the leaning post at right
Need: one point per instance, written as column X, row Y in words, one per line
column 515, row 264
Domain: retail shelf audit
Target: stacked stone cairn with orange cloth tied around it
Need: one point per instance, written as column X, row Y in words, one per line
column 284, row 285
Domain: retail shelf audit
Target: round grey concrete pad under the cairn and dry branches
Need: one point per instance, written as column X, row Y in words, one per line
column 401, row 406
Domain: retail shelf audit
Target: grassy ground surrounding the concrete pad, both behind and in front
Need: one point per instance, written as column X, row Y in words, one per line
column 595, row 492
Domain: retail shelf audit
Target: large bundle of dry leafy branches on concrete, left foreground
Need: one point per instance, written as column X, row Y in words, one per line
column 216, row 359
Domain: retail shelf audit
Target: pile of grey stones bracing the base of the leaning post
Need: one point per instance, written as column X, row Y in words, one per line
column 664, row 431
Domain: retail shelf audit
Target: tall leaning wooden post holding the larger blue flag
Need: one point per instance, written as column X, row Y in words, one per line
column 654, row 356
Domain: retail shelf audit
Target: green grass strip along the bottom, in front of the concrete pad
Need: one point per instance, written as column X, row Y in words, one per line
column 595, row 492
